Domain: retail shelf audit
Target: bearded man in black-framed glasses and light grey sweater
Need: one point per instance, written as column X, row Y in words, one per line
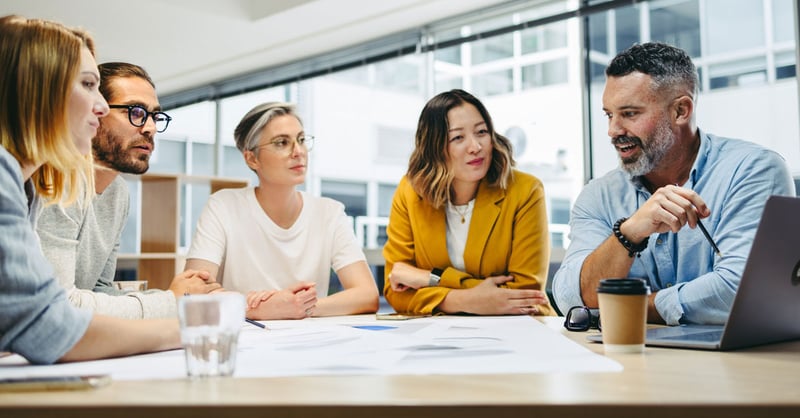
column 81, row 241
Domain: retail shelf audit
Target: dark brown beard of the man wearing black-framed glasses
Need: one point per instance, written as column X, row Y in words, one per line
column 114, row 152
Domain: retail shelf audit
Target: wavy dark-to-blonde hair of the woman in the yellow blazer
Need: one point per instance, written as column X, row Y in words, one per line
column 428, row 172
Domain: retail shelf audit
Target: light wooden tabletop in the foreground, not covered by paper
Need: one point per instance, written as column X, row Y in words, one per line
column 758, row 382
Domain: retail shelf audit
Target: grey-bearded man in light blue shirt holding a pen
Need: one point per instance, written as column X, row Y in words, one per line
column 630, row 222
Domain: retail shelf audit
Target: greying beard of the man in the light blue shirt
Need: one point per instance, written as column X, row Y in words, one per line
column 652, row 153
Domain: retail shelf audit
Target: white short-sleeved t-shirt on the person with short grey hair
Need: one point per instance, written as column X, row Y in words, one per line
column 256, row 254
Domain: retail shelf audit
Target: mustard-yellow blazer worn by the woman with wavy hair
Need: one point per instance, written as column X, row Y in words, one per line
column 507, row 235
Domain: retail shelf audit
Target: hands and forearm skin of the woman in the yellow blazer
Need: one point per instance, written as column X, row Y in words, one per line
column 487, row 298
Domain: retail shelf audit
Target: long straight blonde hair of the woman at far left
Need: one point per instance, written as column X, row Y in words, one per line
column 40, row 60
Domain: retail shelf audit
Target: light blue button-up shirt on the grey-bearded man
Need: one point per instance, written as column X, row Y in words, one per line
column 734, row 178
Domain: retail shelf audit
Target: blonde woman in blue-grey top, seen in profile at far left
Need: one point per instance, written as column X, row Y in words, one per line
column 51, row 108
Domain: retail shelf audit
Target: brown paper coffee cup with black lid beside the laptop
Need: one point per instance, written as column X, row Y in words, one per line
column 623, row 314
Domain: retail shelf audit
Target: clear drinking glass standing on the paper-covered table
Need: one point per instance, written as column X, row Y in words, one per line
column 210, row 327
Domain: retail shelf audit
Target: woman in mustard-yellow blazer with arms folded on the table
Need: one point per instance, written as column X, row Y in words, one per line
column 467, row 233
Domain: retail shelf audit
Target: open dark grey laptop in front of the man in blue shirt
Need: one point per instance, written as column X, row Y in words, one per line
column 766, row 308
